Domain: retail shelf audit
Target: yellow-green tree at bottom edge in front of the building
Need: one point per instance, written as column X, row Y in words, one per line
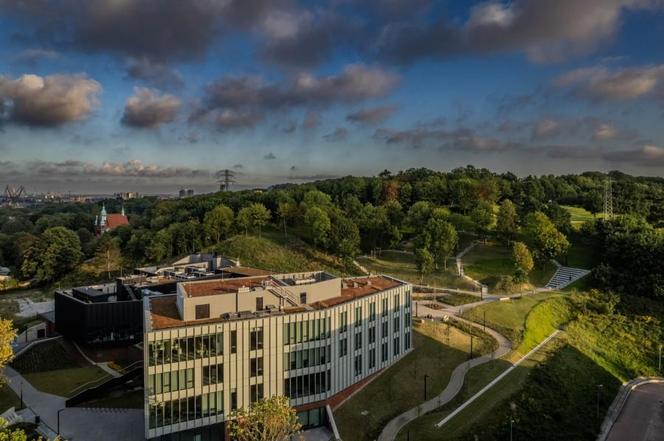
column 270, row 419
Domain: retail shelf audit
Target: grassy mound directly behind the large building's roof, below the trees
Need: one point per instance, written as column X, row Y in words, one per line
column 277, row 253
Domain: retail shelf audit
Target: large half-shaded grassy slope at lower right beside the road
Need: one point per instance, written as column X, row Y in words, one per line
column 603, row 344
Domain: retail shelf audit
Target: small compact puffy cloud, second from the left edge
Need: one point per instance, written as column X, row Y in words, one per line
column 148, row 109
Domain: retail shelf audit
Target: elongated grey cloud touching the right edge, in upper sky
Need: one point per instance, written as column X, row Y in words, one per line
column 620, row 84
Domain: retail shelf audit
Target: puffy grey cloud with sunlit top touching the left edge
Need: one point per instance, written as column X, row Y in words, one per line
column 47, row 101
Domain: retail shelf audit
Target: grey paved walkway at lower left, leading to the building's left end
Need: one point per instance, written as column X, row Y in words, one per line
column 77, row 423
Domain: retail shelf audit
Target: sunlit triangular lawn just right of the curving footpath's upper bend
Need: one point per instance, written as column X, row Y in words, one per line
column 508, row 317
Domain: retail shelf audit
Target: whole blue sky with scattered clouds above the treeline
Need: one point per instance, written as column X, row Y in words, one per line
column 154, row 95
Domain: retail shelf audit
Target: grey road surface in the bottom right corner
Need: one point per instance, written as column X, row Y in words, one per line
column 642, row 418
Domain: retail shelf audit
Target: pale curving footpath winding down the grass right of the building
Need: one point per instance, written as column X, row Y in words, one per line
column 455, row 384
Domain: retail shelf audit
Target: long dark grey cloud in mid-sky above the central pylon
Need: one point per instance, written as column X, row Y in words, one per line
column 251, row 95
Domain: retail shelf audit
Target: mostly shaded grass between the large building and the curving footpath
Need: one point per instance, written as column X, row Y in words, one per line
column 438, row 349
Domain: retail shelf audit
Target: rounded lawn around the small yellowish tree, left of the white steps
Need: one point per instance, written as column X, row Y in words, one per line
column 488, row 263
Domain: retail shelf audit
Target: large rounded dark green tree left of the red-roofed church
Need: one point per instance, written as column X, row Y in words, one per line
column 56, row 253
